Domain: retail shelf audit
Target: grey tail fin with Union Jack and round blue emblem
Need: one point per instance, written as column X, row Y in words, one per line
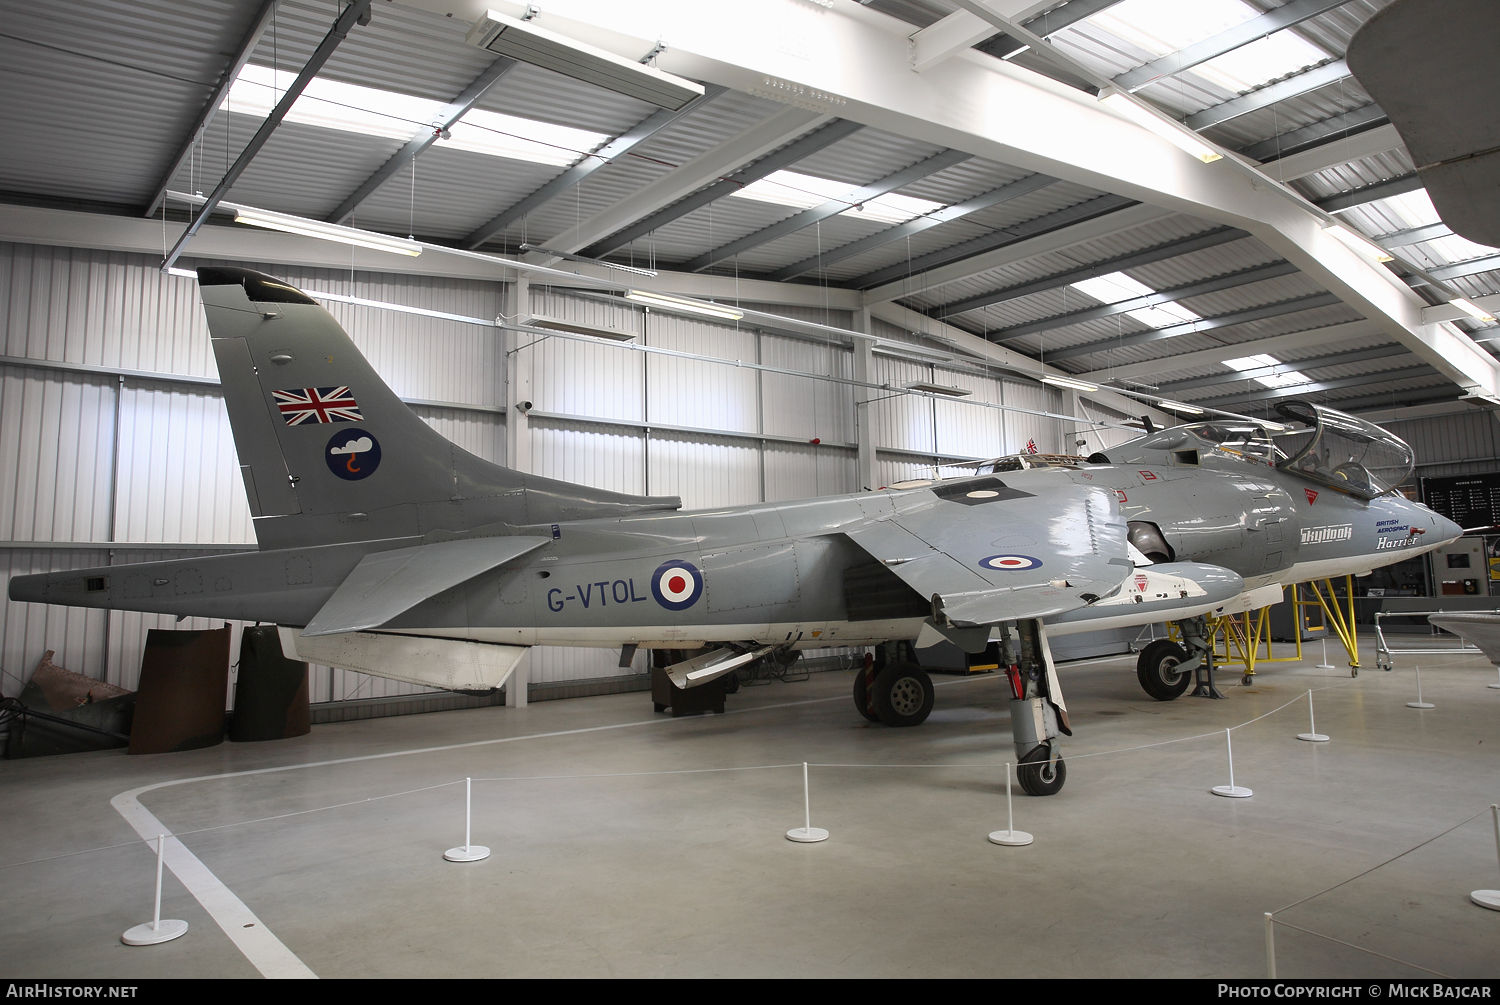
column 331, row 454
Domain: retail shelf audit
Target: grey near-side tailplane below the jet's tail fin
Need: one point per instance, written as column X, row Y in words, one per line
column 386, row 584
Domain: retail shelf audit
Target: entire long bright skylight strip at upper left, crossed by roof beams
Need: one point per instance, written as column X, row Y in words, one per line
column 382, row 113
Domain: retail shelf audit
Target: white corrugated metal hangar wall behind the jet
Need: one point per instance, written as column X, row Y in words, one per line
column 611, row 416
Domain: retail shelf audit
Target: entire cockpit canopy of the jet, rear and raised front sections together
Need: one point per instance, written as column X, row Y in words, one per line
column 1318, row 443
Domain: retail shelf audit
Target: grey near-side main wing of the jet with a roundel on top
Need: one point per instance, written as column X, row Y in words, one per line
column 1004, row 554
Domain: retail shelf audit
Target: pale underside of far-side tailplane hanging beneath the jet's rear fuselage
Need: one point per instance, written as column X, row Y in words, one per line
column 457, row 665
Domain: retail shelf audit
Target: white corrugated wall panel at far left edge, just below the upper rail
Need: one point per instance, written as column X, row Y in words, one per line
column 56, row 440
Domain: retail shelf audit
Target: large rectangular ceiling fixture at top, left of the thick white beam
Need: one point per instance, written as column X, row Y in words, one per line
column 532, row 44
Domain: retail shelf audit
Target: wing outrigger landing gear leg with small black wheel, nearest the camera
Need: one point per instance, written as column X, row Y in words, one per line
column 1039, row 716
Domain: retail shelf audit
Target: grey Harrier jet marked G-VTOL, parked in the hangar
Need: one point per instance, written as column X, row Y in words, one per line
column 391, row 551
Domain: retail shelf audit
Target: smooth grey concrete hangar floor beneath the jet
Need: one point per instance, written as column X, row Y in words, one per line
column 1136, row 869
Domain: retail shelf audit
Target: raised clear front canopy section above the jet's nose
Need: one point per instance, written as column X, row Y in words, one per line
column 1340, row 451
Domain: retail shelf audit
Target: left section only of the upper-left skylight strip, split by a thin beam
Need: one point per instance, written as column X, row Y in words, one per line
column 332, row 104
